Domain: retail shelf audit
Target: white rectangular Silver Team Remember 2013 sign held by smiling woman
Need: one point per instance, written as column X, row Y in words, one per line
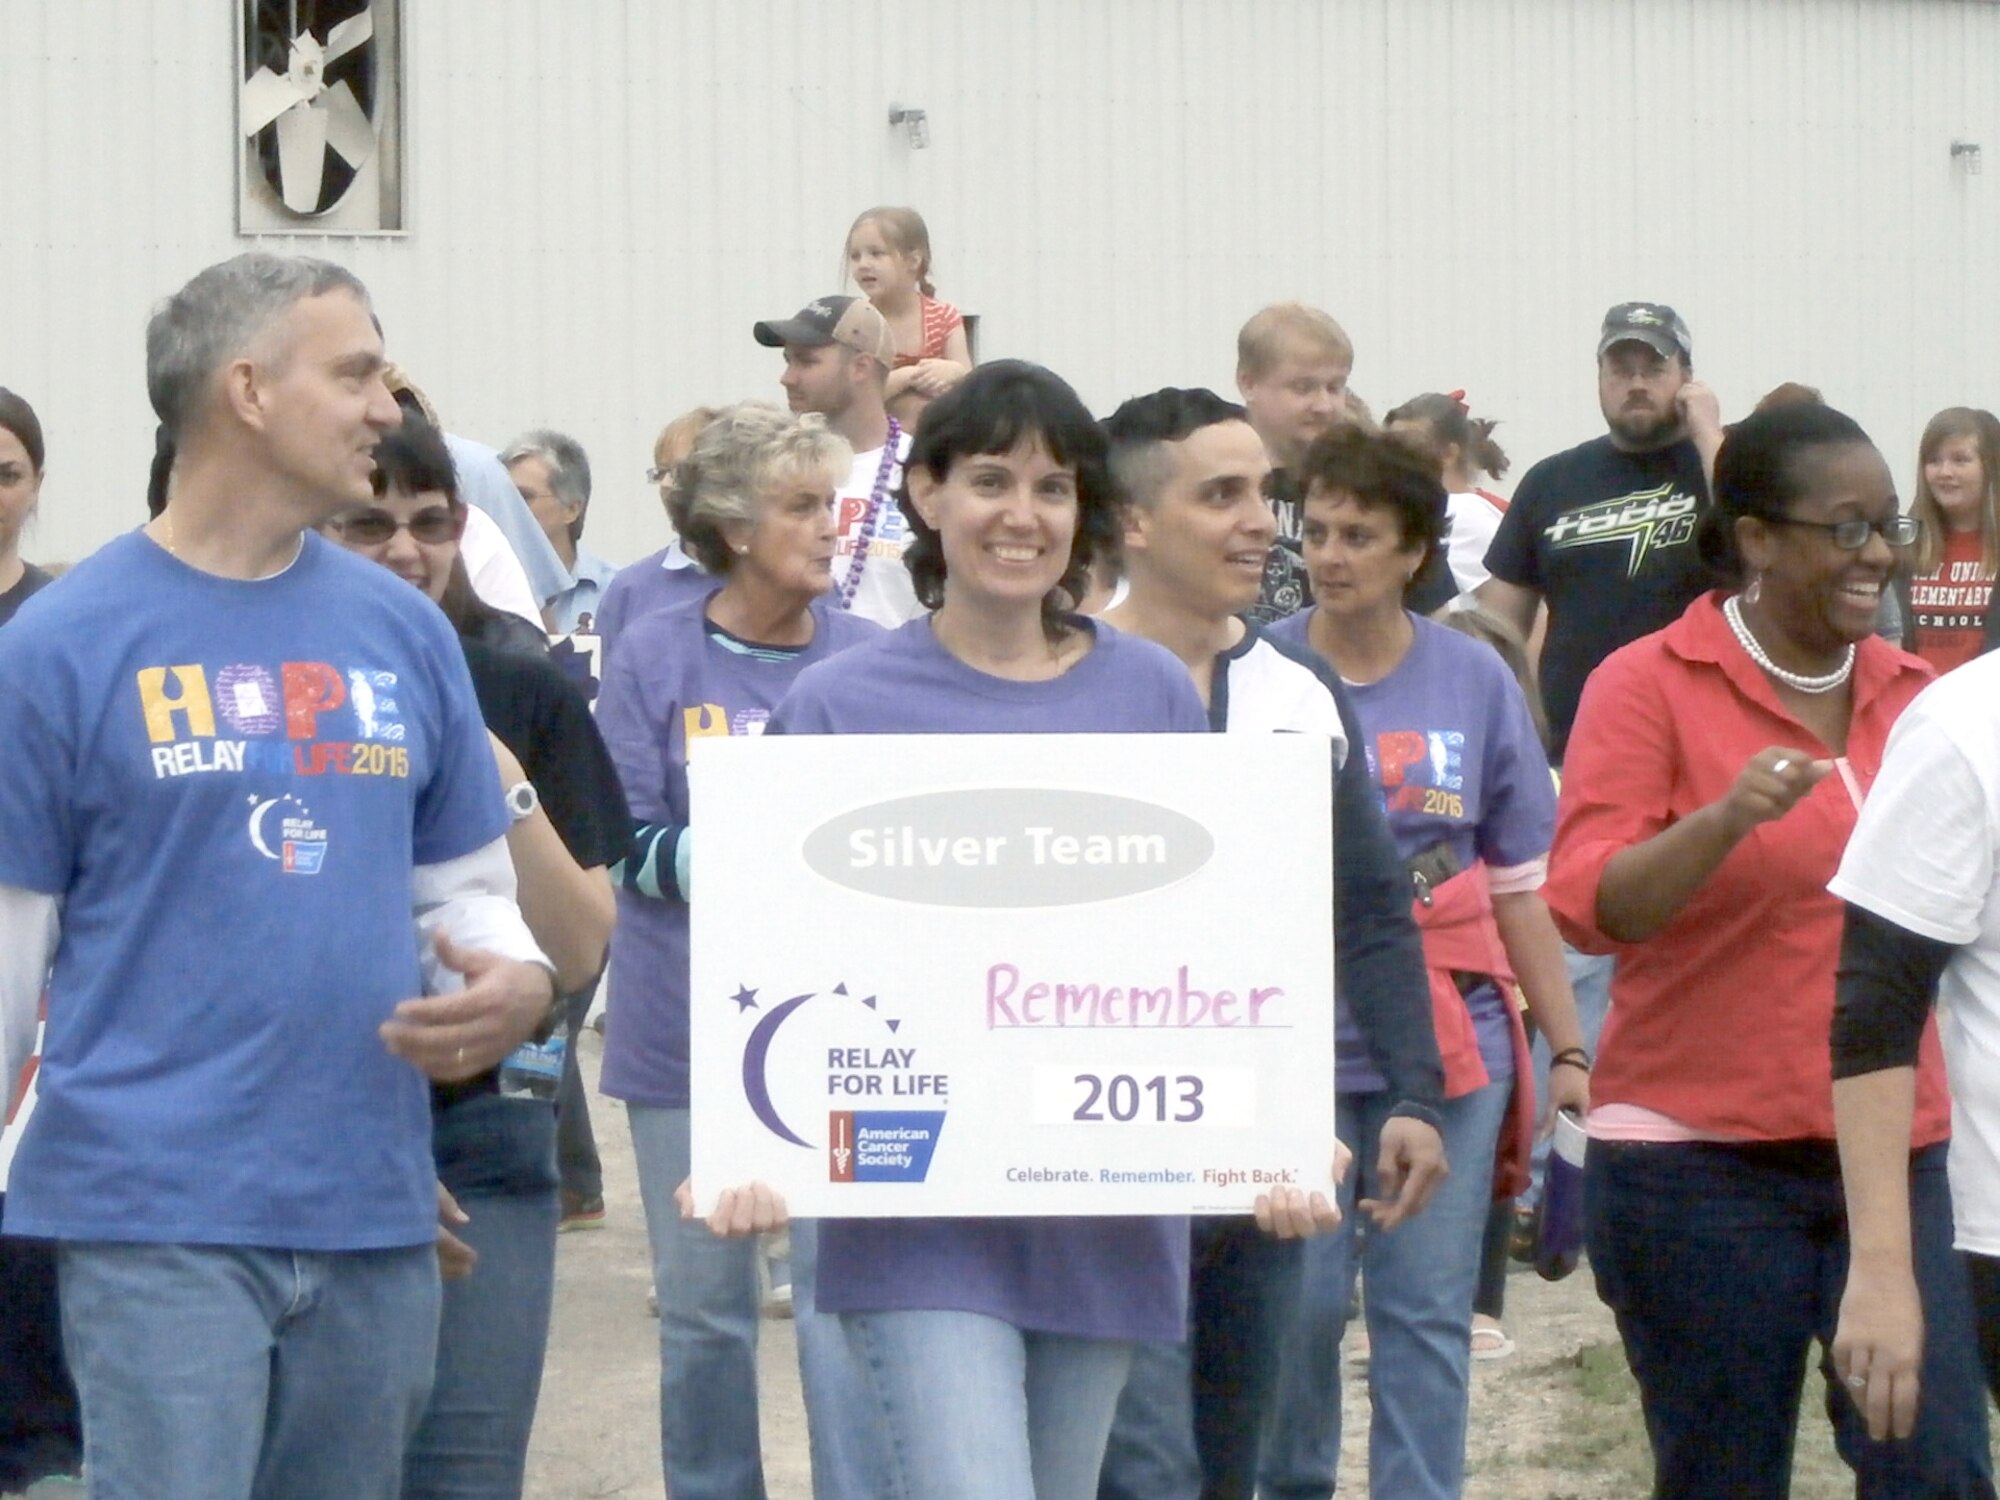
column 1013, row 973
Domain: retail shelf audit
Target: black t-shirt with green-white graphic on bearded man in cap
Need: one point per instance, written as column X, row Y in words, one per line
column 1607, row 539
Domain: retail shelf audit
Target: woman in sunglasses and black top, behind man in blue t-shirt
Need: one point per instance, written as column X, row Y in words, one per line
column 495, row 1137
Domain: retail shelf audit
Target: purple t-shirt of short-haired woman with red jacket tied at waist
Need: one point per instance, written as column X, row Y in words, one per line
column 1457, row 759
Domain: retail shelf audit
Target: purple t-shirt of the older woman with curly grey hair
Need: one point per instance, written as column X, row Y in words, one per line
column 673, row 679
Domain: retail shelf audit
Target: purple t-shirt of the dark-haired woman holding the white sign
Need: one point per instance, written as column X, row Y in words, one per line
column 1085, row 1277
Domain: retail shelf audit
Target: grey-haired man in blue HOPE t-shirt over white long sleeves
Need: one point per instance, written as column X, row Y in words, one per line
column 253, row 839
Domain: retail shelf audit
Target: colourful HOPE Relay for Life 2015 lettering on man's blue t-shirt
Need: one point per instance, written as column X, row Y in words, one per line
column 249, row 717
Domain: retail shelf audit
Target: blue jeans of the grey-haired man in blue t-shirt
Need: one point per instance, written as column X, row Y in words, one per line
column 237, row 1375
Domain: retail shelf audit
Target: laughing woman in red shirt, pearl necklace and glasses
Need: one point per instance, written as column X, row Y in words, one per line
column 1711, row 785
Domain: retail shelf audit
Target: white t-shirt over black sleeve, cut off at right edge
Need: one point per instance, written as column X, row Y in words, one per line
column 1925, row 859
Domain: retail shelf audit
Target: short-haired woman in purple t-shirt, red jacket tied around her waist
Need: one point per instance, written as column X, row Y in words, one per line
column 1465, row 785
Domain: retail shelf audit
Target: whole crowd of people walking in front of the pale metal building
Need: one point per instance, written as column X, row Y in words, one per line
column 1667, row 797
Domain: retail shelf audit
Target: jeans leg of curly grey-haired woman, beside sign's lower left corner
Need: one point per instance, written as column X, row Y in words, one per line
column 709, row 1309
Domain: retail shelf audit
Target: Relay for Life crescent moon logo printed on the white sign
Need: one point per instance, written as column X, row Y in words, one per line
column 837, row 1047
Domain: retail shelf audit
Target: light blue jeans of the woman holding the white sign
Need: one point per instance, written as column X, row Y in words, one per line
column 977, row 1409
